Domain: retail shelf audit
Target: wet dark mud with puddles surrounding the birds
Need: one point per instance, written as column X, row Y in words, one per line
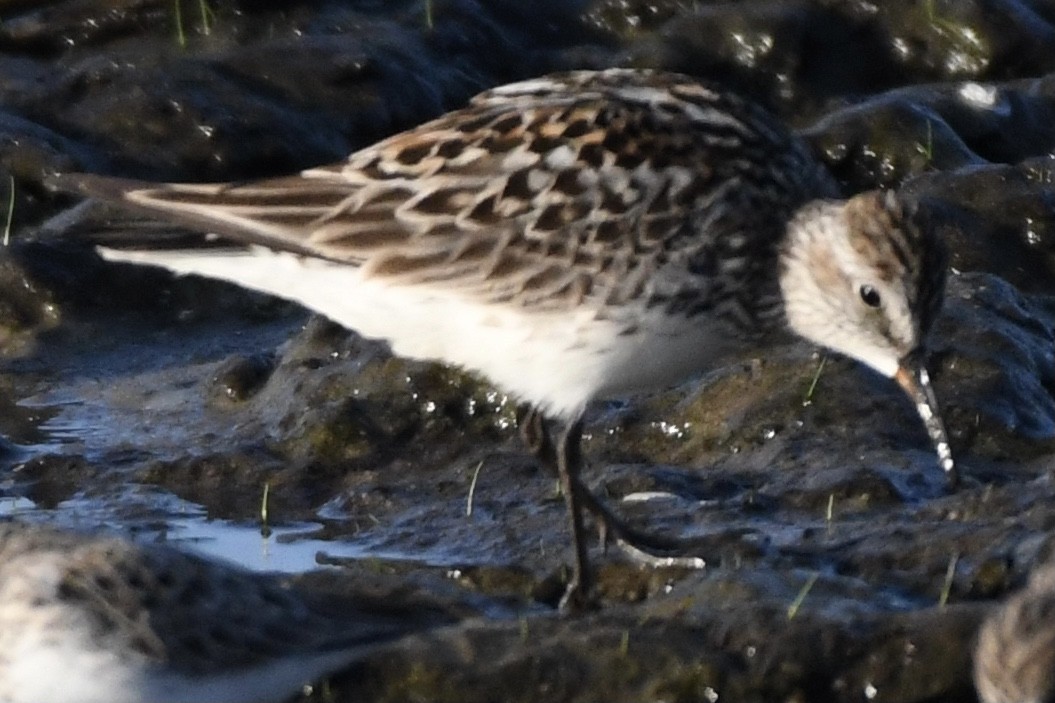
column 144, row 405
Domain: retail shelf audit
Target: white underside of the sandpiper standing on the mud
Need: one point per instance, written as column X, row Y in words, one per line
column 559, row 362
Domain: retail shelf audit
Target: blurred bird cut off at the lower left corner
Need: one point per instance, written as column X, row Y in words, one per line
column 97, row 619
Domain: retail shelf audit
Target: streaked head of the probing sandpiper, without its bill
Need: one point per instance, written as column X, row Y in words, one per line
column 864, row 277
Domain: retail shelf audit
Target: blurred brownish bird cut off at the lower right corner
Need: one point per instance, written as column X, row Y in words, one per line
column 1015, row 651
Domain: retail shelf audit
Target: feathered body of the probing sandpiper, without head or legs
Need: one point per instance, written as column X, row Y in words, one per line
column 574, row 237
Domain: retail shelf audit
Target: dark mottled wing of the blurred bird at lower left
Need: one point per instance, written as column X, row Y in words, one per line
column 198, row 617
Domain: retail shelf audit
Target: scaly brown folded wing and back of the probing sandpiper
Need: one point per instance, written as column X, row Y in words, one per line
column 568, row 186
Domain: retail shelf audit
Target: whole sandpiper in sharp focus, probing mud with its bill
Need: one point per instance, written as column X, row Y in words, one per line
column 577, row 237
